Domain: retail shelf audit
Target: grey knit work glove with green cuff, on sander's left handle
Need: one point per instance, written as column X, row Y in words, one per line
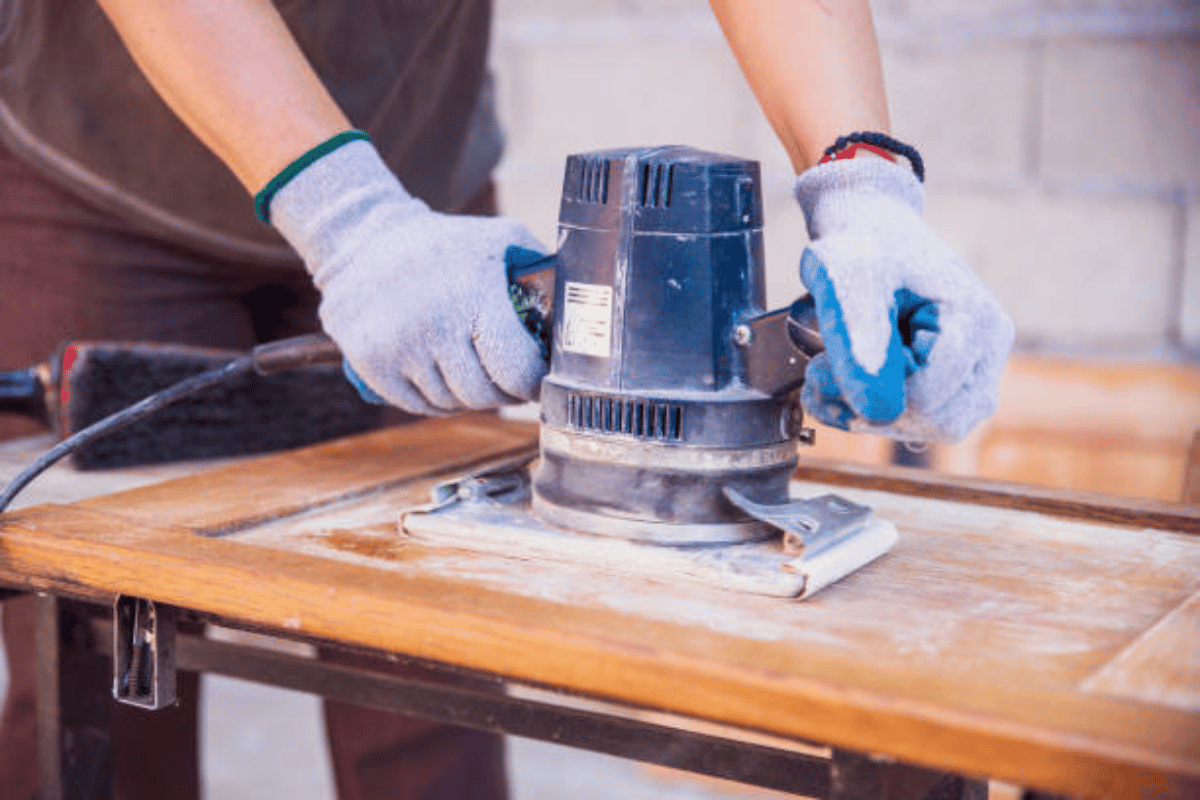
column 418, row 302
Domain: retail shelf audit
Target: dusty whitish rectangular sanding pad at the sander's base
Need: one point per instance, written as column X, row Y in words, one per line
column 493, row 514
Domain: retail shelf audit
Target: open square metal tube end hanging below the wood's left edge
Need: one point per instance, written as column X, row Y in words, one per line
column 143, row 653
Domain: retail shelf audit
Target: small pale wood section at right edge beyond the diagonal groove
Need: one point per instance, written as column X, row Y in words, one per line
column 1163, row 666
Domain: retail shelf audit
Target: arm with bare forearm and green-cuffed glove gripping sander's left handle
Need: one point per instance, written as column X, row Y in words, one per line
column 418, row 302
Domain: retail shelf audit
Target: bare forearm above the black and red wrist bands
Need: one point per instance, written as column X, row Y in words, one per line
column 814, row 67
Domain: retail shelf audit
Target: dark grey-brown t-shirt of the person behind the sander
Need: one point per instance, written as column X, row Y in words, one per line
column 411, row 73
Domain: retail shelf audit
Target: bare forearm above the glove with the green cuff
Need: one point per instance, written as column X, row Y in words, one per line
column 235, row 75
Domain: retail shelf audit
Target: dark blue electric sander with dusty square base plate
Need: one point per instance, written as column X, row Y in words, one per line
column 671, row 417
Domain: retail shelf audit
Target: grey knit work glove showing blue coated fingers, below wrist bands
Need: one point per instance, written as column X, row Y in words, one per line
column 915, row 342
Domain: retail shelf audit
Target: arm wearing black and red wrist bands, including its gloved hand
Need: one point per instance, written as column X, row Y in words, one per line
column 915, row 342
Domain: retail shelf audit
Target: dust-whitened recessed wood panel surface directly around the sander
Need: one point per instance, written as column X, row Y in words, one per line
column 987, row 594
